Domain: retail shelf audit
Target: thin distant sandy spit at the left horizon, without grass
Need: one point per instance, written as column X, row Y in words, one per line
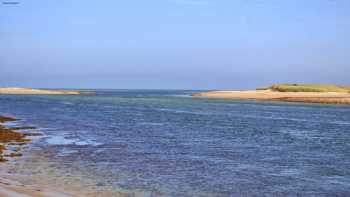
column 35, row 91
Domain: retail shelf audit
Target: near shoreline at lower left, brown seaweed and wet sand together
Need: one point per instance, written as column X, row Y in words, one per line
column 27, row 172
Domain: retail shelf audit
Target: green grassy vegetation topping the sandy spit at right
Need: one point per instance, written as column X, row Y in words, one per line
column 308, row 88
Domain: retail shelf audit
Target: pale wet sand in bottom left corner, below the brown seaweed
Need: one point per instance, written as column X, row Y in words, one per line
column 33, row 176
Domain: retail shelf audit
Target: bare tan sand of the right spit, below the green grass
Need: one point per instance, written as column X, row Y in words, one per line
column 268, row 95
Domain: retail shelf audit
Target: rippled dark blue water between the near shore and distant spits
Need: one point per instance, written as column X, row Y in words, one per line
column 170, row 144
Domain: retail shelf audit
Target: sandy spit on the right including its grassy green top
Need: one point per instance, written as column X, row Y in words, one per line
column 306, row 93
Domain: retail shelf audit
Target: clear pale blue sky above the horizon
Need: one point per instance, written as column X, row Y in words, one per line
column 181, row 44
